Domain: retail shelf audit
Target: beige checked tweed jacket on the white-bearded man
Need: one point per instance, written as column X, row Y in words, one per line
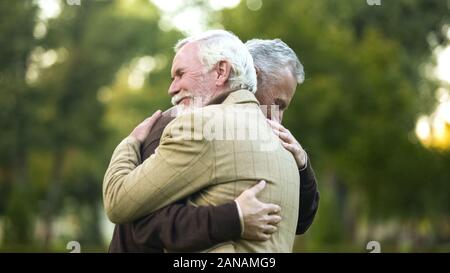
column 208, row 156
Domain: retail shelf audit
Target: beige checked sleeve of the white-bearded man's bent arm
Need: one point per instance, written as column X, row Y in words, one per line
column 183, row 164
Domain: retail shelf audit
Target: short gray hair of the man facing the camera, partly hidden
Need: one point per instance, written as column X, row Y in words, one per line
column 272, row 56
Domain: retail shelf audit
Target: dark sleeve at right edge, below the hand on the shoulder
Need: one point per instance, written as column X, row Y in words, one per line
column 309, row 199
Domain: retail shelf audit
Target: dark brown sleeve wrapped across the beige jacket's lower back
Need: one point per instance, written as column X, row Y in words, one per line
column 180, row 227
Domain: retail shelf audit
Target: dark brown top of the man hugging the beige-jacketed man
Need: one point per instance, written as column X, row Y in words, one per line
column 180, row 227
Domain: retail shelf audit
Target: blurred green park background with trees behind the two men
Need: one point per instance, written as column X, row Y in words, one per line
column 76, row 76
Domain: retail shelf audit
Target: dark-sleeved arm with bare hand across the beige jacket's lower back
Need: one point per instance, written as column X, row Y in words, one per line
column 182, row 227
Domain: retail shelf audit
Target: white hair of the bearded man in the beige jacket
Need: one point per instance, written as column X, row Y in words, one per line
column 219, row 45
